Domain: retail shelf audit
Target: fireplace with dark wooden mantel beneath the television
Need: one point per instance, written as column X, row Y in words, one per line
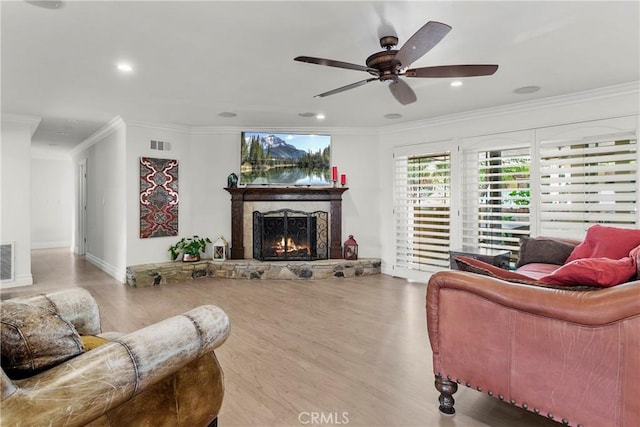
column 247, row 200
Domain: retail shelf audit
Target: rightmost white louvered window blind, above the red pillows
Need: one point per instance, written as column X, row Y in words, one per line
column 585, row 181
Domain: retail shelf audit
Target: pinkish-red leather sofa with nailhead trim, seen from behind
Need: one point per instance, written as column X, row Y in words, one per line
column 570, row 355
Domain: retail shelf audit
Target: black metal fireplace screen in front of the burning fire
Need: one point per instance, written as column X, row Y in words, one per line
column 290, row 235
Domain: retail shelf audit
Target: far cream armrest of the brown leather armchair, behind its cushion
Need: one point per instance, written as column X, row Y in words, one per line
column 75, row 305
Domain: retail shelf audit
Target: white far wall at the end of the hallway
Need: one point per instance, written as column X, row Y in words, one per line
column 52, row 195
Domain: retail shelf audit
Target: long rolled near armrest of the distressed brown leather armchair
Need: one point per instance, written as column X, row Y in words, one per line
column 86, row 387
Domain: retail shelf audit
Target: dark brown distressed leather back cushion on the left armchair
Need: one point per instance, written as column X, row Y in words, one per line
column 34, row 339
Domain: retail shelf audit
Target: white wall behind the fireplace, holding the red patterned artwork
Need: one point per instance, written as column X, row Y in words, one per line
column 208, row 155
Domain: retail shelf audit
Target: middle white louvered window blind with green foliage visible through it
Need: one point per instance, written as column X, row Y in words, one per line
column 496, row 198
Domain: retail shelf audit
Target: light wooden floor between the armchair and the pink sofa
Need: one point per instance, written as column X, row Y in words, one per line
column 351, row 351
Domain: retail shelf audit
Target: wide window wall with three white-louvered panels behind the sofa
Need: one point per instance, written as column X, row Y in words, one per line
column 494, row 189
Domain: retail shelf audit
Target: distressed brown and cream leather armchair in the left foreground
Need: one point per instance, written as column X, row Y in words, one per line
column 165, row 374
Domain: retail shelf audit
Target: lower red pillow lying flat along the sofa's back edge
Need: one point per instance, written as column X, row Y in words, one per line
column 604, row 272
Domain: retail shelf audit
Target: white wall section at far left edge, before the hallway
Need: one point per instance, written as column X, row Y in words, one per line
column 15, row 189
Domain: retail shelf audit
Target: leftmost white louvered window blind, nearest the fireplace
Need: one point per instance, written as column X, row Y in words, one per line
column 422, row 211
